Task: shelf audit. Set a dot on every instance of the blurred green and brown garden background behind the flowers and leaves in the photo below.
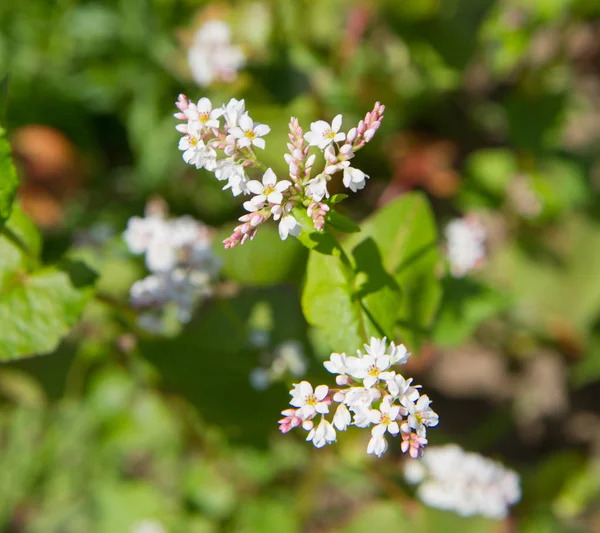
(492, 109)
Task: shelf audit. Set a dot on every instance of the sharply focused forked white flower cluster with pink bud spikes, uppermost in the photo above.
(230, 130)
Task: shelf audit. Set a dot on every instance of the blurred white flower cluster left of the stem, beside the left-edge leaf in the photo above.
(179, 256)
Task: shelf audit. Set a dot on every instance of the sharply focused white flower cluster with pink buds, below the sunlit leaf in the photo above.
(370, 395)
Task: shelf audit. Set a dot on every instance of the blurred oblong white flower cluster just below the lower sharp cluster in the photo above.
(467, 483)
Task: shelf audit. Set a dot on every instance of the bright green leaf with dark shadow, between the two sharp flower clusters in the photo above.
(382, 280)
